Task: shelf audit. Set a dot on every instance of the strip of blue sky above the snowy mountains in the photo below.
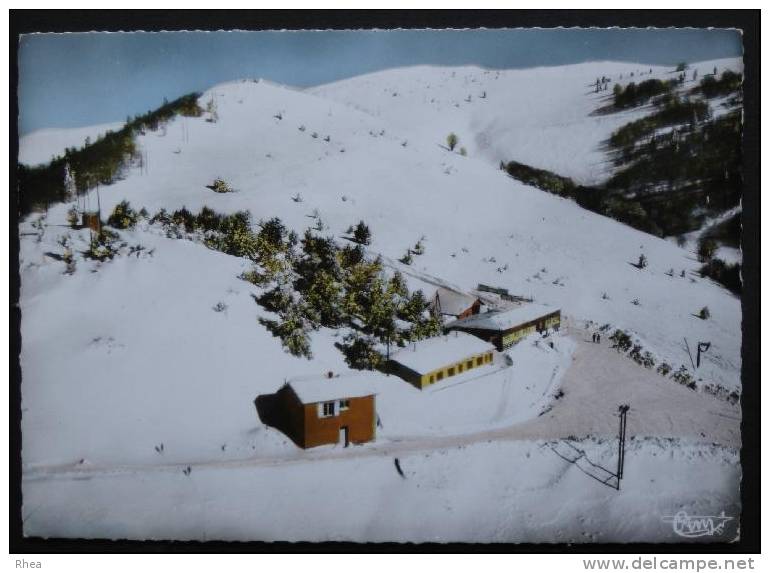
(70, 80)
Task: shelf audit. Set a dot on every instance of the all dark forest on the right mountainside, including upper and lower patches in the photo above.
(675, 168)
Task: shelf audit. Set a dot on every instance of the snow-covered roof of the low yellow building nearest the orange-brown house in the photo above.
(432, 353)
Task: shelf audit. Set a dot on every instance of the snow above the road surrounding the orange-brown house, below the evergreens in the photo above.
(135, 347)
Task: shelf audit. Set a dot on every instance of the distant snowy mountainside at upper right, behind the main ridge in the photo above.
(539, 116)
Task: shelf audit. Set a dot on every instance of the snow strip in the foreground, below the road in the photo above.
(488, 492)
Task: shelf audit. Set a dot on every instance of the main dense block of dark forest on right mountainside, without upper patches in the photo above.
(667, 186)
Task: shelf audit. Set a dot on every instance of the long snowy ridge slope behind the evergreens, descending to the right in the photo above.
(476, 220)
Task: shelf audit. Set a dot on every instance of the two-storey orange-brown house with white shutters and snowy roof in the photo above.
(328, 410)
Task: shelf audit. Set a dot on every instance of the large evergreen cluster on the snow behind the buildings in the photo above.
(311, 282)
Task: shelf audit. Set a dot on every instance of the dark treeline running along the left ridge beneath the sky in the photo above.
(99, 162)
